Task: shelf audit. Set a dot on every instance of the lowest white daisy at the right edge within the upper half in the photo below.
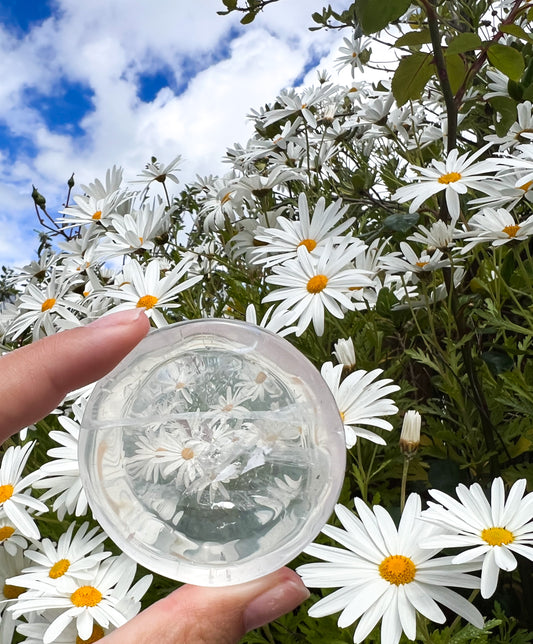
(496, 226)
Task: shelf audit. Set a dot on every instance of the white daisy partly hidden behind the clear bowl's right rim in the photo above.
(360, 399)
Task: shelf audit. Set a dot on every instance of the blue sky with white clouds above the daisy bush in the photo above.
(85, 85)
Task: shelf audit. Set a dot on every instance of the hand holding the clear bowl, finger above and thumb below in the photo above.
(33, 380)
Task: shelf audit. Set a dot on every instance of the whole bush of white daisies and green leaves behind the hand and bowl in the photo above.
(385, 229)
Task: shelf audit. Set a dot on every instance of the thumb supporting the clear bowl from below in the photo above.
(198, 615)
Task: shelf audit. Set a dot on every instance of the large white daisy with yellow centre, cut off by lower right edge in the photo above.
(491, 532)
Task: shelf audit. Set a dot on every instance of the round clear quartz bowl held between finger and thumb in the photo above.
(214, 453)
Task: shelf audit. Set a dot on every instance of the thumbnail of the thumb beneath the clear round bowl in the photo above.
(273, 603)
